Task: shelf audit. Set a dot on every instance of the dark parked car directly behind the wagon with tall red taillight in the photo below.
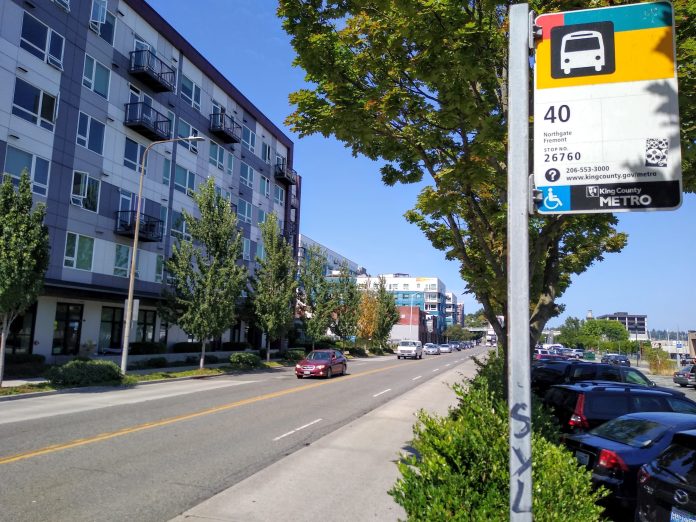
(546, 373)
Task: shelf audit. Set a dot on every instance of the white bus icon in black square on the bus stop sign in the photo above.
(582, 50)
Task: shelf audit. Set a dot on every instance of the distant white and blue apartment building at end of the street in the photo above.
(427, 293)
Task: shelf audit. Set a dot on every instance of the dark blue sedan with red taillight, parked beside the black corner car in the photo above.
(616, 450)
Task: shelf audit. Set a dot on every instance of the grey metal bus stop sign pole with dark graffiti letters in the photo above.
(519, 395)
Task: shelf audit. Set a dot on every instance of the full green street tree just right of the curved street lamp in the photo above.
(207, 282)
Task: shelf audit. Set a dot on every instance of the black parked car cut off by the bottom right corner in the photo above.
(667, 485)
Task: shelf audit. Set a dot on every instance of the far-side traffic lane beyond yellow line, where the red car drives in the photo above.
(59, 418)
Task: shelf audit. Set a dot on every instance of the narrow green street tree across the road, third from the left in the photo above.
(274, 284)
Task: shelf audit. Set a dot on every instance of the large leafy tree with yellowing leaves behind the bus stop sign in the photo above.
(422, 86)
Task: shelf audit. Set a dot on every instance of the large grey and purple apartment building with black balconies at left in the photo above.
(85, 87)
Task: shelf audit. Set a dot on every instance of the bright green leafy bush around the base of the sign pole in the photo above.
(461, 472)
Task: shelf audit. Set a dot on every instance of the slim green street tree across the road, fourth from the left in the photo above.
(315, 295)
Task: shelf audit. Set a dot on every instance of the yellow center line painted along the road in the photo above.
(179, 418)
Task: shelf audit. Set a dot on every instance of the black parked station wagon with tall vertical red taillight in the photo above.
(585, 405)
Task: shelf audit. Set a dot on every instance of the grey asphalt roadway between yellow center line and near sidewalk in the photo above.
(154, 475)
